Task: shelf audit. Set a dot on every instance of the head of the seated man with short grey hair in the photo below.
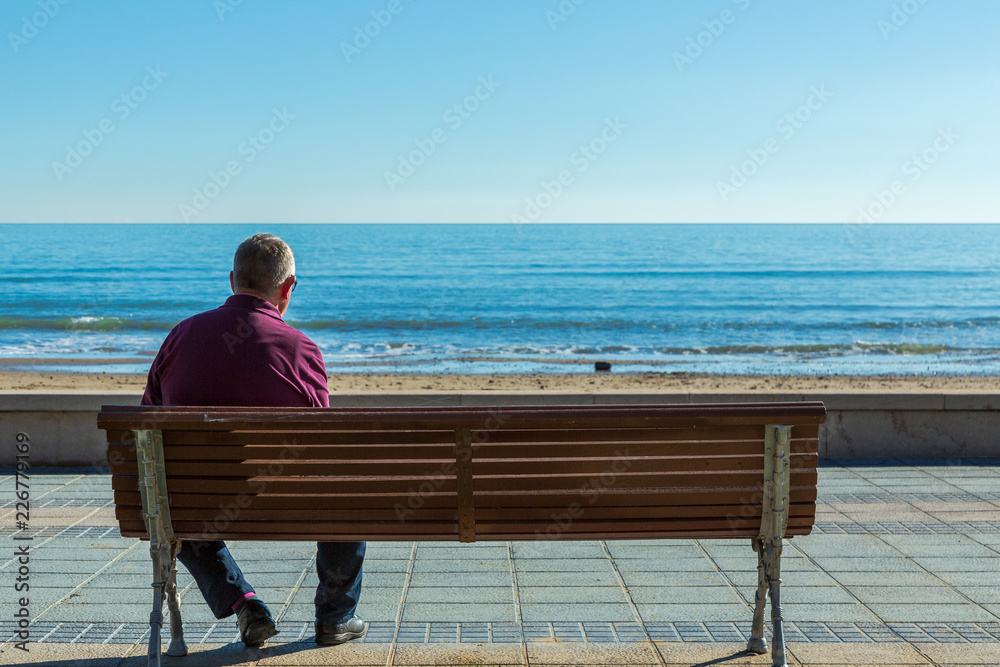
(264, 267)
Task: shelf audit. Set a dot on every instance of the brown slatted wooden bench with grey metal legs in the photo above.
(595, 472)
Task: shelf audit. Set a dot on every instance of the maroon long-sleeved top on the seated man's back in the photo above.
(241, 353)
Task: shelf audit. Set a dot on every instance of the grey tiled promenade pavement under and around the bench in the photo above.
(903, 568)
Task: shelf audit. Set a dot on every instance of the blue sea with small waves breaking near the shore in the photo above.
(790, 299)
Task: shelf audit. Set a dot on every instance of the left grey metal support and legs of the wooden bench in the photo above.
(163, 547)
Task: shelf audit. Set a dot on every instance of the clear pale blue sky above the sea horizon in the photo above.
(624, 111)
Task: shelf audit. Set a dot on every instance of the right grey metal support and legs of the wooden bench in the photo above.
(768, 543)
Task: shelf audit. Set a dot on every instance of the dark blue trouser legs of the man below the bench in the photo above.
(222, 584)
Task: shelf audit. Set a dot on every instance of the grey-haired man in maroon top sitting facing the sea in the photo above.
(244, 354)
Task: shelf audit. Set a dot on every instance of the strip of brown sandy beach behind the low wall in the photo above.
(13, 379)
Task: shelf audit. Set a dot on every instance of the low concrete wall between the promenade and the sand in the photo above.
(62, 427)
